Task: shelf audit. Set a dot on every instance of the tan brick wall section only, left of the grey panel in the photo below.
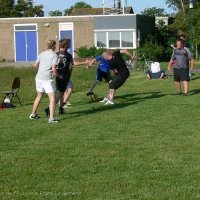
(83, 32)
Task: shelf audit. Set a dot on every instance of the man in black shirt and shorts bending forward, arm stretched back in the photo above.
(119, 66)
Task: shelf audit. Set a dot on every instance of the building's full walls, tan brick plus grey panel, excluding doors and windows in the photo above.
(83, 27)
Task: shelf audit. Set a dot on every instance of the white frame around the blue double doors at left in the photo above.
(36, 30)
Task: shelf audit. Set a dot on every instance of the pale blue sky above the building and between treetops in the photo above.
(138, 5)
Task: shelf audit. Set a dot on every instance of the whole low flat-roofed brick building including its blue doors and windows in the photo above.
(23, 38)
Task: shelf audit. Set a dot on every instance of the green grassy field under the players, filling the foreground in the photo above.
(145, 147)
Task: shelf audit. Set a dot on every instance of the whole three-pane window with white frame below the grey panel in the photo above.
(116, 39)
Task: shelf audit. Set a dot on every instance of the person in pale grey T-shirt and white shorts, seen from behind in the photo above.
(46, 65)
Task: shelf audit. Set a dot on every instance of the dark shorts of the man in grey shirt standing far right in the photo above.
(181, 74)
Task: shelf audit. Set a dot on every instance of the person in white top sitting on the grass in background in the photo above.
(155, 71)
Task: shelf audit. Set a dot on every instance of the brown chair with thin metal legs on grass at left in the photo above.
(13, 92)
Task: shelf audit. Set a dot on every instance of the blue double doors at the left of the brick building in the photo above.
(26, 45)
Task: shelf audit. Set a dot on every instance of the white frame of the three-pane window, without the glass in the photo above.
(117, 30)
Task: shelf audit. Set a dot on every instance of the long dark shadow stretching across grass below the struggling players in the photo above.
(129, 99)
